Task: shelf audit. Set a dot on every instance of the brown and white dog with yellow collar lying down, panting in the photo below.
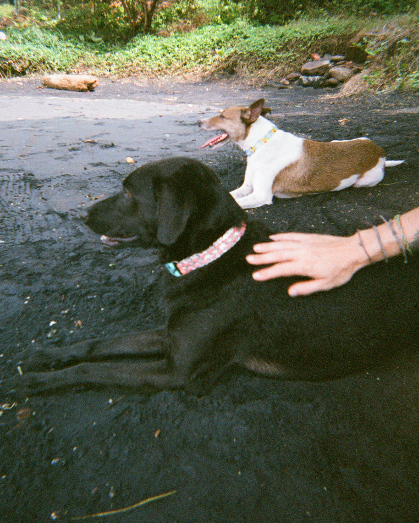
(284, 165)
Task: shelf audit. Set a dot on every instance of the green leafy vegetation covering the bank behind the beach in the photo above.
(210, 37)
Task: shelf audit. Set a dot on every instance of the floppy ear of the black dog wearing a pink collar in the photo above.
(174, 207)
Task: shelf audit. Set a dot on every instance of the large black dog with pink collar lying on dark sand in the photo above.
(218, 317)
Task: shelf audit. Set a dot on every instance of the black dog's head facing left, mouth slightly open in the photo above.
(176, 203)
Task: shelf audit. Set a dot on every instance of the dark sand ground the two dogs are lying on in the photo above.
(253, 450)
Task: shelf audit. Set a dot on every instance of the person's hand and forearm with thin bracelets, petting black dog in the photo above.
(331, 261)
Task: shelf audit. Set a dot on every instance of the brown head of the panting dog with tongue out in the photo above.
(235, 123)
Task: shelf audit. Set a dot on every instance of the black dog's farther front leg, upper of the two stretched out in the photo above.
(132, 345)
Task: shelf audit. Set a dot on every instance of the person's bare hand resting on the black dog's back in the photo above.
(330, 261)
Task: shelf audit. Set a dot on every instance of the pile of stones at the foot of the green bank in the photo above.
(329, 71)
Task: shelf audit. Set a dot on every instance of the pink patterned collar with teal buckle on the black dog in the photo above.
(200, 259)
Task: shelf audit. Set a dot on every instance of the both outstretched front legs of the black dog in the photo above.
(142, 361)
